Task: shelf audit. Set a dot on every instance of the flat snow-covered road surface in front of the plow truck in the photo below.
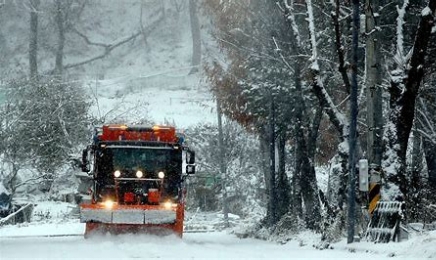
(217, 245)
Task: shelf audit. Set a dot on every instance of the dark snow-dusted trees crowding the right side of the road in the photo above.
(288, 73)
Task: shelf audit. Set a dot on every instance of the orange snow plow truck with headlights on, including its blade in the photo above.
(138, 175)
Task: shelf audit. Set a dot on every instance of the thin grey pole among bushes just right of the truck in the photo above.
(223, 168)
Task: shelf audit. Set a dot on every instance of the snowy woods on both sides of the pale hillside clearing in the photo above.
(283, 74)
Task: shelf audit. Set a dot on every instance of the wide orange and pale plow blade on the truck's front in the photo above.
(119, 219)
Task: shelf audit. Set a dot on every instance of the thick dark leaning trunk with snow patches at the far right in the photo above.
(403, 98)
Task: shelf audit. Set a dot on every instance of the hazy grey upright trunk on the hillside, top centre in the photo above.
(196, 38)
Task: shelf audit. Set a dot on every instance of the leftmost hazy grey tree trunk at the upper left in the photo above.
(33, 43)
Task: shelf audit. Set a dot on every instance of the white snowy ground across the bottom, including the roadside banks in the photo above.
(41, 239)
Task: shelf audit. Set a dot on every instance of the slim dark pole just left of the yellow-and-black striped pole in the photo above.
(353, 126)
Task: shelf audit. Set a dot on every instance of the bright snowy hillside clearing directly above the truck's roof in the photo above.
(165, 98)
